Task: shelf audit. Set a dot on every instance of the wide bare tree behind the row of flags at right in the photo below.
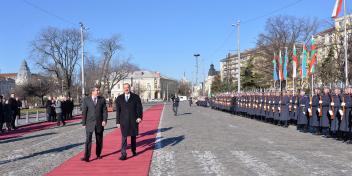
(281, 32)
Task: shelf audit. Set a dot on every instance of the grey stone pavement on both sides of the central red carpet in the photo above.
(199, 141)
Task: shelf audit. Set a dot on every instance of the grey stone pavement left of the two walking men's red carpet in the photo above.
(39, 152)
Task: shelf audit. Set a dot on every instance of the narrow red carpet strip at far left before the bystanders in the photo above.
(32, 127)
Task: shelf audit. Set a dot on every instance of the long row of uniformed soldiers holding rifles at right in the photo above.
(327, 114)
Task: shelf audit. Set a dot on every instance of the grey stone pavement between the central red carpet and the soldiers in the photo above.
(202, 141)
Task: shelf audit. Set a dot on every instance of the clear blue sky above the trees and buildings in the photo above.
(158, 35)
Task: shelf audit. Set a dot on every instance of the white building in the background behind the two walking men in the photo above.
(148, 85)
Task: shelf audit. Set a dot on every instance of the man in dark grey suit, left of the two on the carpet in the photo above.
(94, 119)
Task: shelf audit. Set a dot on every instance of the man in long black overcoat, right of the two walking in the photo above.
(129, 113)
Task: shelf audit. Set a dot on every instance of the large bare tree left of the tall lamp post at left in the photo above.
(57, 51)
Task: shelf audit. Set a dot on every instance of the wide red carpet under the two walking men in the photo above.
(110, 164)
